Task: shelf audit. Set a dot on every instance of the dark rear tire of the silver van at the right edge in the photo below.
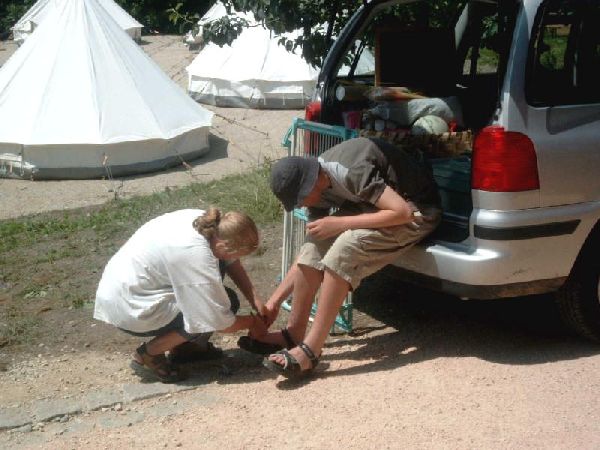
(579, 299)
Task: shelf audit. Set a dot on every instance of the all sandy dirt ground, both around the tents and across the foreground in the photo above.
(420, 370)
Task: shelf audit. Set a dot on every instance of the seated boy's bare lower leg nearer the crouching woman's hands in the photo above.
(306, 281)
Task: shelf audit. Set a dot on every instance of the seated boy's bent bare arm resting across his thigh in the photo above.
(393, 211)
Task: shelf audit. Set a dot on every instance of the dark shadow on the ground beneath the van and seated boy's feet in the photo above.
(399, 324)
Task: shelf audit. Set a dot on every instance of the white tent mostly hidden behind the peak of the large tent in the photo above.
(34, 16)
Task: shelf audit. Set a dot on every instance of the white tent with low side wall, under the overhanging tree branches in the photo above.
(255, 71)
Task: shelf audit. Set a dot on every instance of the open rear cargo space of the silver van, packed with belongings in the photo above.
(425, 79)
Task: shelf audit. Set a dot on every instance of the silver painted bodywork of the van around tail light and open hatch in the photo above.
(515, 242)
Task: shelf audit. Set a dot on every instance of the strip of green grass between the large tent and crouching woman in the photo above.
(248, 192)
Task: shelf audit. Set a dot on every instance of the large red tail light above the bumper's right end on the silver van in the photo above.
(504, 161)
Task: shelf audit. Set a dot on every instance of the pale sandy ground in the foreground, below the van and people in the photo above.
(421, 371)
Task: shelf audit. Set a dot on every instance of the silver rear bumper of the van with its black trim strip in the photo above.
(507, 253)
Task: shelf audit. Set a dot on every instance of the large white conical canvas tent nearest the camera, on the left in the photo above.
(79, 99)
